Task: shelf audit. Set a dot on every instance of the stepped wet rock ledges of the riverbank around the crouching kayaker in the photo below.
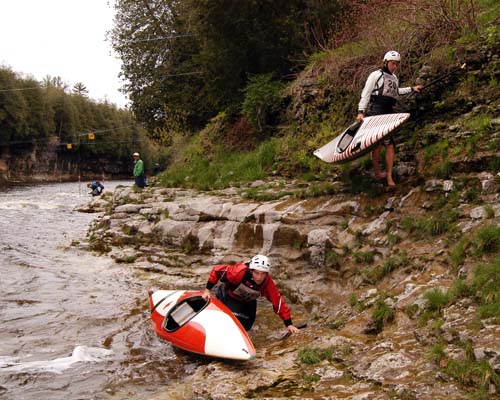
(357, 268)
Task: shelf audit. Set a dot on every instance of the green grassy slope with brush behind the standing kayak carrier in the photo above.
(208, 162)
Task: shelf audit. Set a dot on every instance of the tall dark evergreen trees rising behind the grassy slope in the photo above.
(186, 61)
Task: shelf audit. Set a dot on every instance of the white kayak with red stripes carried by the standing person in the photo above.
(360, 138)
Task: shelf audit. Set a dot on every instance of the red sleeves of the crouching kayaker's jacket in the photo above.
(233, 275)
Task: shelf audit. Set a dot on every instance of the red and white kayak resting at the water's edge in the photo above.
(194, 324)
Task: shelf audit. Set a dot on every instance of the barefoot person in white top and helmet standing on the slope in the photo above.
(379, 97)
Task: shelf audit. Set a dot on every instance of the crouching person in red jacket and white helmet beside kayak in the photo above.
(242, 284)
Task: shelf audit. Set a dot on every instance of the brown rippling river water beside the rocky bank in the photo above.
(73, 325)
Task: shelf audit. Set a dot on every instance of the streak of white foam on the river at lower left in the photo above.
(57, 365)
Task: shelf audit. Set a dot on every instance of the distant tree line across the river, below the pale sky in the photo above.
(34, 113)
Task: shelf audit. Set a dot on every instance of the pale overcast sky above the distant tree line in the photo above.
(63, 38)
